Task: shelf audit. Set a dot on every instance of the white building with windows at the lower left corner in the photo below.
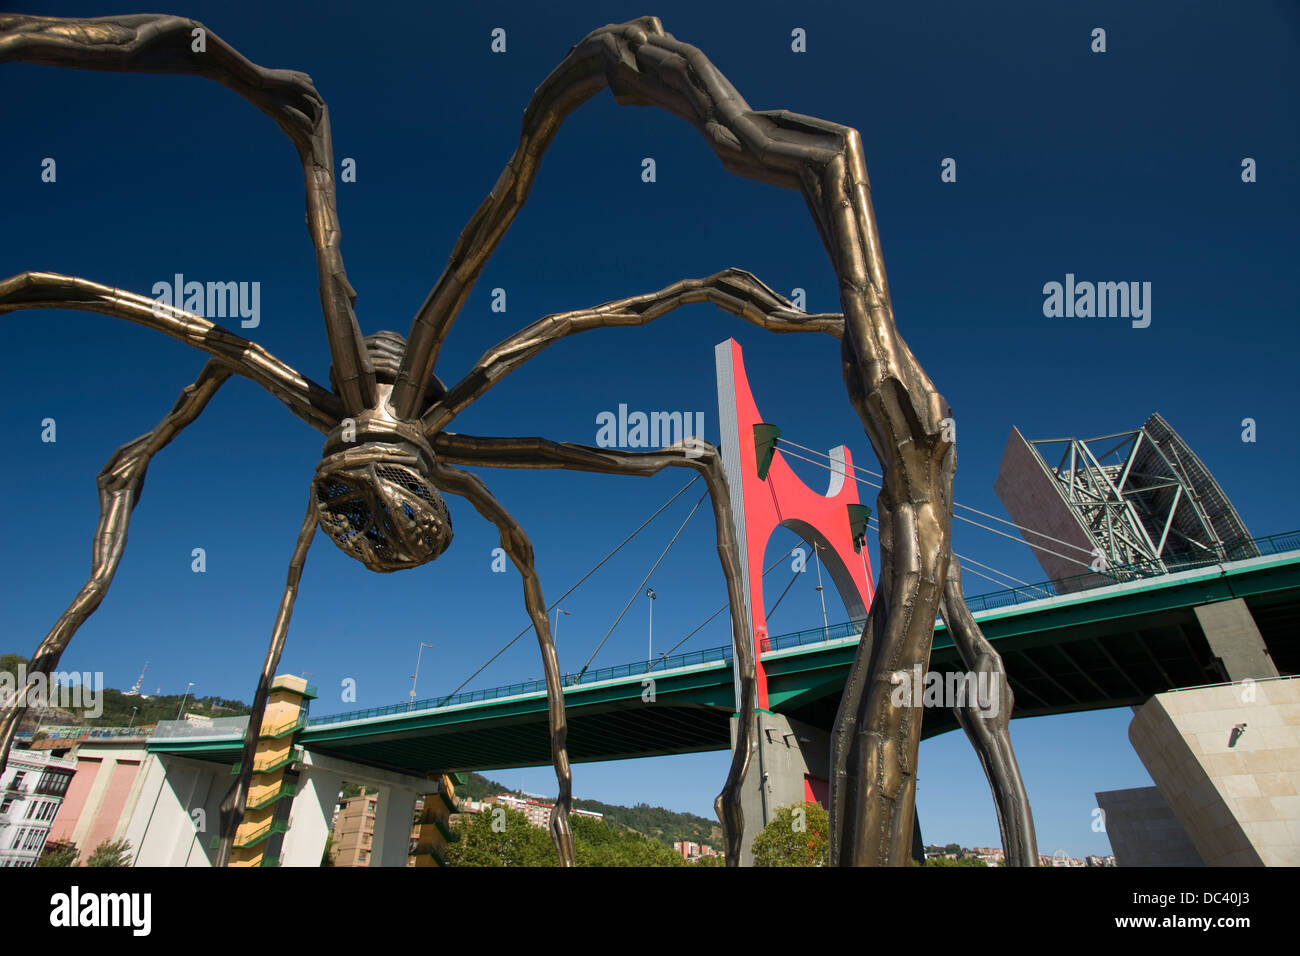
(32, 790)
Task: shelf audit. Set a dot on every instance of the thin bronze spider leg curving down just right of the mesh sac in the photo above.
(521, 551)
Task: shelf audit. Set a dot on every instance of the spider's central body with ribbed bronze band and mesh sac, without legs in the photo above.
(375, 499)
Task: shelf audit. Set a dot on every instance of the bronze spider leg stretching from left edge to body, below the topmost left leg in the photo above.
(309, 401)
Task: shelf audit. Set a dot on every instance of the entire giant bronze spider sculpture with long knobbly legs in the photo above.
(388, 458)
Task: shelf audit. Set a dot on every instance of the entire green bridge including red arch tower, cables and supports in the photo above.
(1220, 609)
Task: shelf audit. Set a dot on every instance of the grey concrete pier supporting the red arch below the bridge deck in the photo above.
(786, 756)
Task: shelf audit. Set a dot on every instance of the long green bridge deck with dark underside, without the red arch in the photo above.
(1065, 652)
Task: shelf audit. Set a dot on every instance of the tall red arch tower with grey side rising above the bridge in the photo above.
(760, 505)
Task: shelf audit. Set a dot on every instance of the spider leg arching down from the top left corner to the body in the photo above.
(155, 44)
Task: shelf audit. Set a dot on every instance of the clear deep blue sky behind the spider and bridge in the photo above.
(1116, 167)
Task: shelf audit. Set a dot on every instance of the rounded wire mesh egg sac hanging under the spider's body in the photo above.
(387, 516)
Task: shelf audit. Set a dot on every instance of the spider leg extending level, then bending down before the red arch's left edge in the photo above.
(543, 453)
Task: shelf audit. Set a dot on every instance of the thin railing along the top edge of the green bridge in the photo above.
(1273, 544)
